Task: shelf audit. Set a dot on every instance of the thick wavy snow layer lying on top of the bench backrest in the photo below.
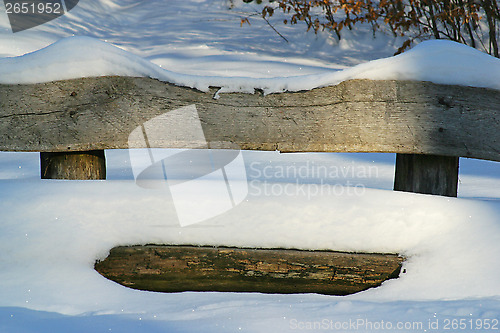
(438, 61)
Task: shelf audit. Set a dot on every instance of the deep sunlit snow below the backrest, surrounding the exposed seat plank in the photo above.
(51, 240)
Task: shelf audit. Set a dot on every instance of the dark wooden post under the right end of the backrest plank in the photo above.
(428, 174)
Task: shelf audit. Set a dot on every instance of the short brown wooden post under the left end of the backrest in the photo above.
(85, 165)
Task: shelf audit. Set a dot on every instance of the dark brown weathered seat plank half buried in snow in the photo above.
(188, 268)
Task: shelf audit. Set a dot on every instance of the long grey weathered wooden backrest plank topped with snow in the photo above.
(354, 116)
